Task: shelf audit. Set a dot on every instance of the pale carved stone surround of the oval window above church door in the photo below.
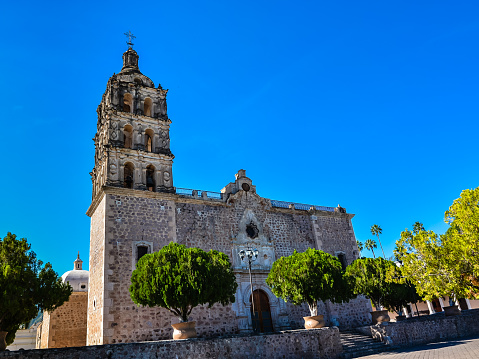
(251, 236)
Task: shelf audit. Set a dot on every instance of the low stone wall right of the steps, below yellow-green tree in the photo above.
(427, 329)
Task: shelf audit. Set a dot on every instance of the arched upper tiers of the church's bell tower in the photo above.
(132, 143)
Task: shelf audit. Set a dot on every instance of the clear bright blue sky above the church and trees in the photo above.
(371, 104)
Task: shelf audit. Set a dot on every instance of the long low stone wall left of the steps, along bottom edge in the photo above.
(323, 343)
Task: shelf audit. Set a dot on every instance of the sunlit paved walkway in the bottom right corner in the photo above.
(464, 348)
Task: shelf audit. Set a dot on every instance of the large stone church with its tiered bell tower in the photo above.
(136, 210)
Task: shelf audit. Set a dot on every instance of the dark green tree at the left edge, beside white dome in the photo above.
(26, 285)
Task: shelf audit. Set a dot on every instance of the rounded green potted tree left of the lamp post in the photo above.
(179, 278)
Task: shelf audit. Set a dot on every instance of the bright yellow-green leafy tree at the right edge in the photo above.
(448, 264)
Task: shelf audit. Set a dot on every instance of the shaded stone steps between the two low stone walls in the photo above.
(356, 345)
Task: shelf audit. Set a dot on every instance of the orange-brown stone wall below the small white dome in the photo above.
(66, 326)
